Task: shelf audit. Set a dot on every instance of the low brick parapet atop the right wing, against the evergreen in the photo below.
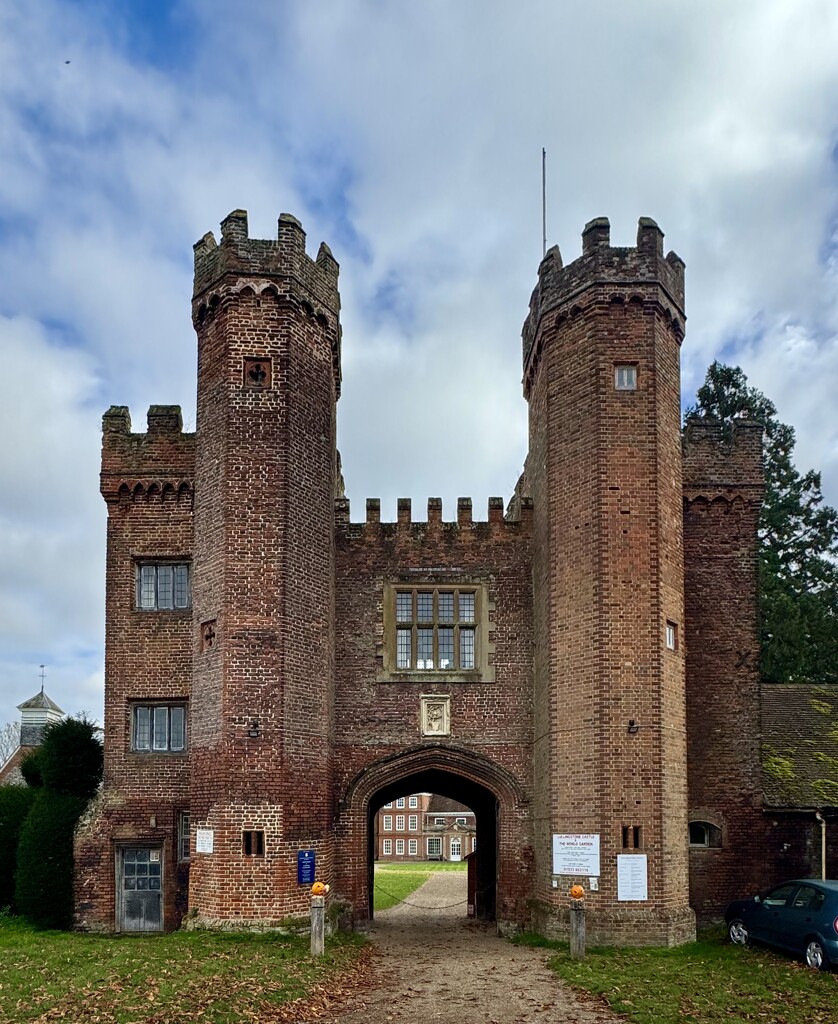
(719, 457)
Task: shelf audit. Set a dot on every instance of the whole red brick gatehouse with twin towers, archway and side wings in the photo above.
(577, 665)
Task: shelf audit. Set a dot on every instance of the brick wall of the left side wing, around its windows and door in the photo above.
(147, 482)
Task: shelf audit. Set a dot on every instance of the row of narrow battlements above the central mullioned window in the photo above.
(405, 523)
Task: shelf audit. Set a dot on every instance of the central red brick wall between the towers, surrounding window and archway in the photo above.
(378, 720)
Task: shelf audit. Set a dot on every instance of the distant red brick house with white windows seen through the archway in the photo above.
(425, 827)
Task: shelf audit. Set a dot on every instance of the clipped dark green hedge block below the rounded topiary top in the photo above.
(44, 884)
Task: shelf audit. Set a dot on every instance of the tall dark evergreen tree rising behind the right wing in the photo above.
(799, 541)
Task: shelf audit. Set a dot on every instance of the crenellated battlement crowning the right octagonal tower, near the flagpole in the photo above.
(625, 275)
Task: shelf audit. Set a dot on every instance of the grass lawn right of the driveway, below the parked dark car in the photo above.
(707, 982)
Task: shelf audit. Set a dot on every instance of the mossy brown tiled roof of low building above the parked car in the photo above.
(801, 746)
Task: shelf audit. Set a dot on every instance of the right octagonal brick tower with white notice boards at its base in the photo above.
(602, 376)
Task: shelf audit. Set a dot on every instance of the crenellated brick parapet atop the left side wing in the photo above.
(159, 460)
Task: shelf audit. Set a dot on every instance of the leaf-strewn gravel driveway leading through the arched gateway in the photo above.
(436, 965)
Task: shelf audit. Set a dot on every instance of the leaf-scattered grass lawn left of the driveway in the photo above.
(171, 979)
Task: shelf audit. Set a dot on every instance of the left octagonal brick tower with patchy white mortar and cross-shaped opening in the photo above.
(269, 378)
